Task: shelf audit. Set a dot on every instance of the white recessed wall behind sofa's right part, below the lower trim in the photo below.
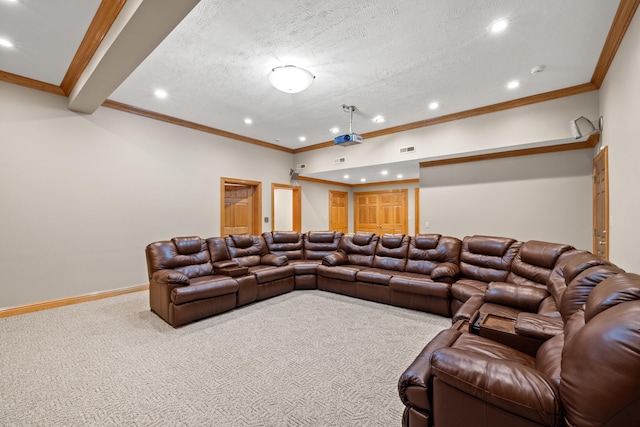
(542, 197)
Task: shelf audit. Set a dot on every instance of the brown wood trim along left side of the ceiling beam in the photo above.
(102, 21)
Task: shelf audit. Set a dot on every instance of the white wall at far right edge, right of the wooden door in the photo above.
(619, 105)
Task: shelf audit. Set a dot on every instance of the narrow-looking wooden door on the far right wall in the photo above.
(601, 204)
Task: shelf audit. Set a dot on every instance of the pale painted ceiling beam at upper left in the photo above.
(139, 28)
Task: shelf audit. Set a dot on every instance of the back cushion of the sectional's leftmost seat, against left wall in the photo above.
(188, 255)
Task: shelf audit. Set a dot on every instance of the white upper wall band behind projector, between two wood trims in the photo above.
(537, 124)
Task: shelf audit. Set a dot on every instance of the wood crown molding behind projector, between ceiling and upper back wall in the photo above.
(534, 99)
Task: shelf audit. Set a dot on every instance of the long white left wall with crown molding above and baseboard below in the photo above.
(82, 195)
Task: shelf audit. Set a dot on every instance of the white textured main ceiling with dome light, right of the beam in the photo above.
(387, 58)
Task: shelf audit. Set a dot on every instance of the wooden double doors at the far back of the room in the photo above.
(381, 212)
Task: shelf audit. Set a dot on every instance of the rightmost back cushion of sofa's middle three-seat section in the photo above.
(426, 251)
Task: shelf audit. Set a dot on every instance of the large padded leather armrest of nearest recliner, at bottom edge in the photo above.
(505, 384)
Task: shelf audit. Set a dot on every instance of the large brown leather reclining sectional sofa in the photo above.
(543, 334)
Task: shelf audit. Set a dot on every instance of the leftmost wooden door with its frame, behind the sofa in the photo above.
(241, 206)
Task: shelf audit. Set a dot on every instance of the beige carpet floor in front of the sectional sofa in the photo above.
(307, 358)
